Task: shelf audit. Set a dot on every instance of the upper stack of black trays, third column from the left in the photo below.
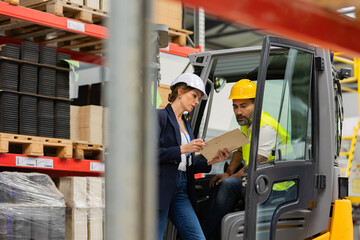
(47, 75)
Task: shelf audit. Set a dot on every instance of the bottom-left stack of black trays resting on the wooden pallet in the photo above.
(9, 112)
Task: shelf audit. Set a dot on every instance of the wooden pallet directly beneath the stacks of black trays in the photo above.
(35, 146)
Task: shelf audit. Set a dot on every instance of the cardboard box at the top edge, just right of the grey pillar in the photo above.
(168, 12)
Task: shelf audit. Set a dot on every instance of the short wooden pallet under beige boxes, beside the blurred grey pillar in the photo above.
(84, 150)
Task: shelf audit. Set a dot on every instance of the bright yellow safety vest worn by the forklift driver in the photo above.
(285, 148)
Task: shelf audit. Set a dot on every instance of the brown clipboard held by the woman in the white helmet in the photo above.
(231, 140)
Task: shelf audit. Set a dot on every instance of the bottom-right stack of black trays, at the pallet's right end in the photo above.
(62, 119)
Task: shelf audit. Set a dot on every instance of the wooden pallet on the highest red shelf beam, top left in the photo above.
(67, 9)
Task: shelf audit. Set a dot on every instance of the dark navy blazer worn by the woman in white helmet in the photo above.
(169, 157)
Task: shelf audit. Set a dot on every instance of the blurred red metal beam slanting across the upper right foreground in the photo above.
(297, 20)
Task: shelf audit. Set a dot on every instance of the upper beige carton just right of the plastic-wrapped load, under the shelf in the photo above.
(74, 190)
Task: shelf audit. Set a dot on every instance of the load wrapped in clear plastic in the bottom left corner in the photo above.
(30, 207)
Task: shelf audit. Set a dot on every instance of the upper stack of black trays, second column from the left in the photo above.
(29, 72)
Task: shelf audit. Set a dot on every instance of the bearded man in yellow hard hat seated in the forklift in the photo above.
(226, 188)
